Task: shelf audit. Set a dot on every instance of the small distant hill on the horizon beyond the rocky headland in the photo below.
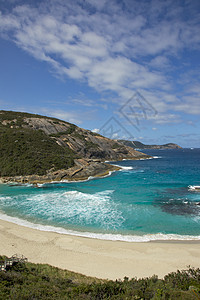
(139, 145)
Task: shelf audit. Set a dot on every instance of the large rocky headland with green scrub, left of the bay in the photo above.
(37, 148)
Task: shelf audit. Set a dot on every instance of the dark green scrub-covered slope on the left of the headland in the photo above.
(25, 151)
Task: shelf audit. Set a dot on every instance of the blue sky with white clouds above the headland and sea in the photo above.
(127, 69)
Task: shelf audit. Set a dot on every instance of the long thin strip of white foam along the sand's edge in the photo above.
(102, 236)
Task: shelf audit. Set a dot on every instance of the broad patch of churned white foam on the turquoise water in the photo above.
(67, 207)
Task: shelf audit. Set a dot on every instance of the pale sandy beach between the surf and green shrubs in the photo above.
(102, 259)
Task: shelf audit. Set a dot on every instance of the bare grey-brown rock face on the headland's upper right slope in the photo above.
(83, 142)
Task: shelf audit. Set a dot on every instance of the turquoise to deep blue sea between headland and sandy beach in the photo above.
(146, 200)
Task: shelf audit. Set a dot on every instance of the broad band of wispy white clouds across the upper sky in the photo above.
(111, 47)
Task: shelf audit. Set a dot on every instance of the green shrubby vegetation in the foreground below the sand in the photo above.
(37, 281)
